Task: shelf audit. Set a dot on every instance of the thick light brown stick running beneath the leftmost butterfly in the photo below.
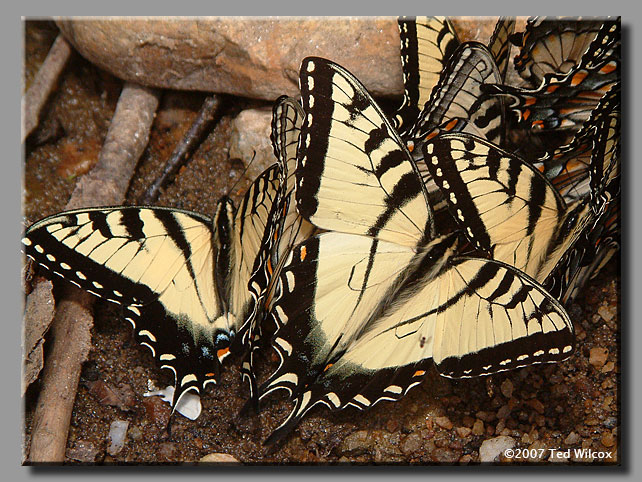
(105, 184)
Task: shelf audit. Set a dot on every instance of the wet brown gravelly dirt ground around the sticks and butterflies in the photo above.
(571, 405)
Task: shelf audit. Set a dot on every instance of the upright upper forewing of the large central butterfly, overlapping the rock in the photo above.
(354, 174)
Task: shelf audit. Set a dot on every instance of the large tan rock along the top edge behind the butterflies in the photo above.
(257, 58)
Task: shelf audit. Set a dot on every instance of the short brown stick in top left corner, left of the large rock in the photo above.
(44, 83)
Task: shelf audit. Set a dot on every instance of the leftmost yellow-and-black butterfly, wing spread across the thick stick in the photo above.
(181, 277)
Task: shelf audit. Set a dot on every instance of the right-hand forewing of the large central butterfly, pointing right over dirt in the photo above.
(492, 318)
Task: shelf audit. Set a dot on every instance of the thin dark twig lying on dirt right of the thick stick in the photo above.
(185, 147)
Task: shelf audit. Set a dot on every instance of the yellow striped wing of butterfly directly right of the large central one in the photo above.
(504, 205)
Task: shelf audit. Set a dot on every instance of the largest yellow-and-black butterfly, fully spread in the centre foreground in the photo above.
(370, 304)
